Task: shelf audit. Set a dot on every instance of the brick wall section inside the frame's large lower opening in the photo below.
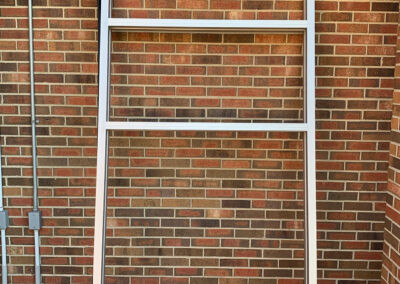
(202, 206)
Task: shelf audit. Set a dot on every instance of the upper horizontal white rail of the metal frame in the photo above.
(209, 25)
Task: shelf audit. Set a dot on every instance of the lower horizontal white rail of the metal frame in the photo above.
(207, 126)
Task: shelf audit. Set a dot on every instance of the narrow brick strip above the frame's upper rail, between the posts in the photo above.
(209, 9)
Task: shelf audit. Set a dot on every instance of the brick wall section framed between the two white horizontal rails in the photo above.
(207, 77)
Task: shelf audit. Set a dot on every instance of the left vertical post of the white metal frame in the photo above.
(102, 146)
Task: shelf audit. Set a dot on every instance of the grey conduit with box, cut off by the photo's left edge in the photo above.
(3, 227)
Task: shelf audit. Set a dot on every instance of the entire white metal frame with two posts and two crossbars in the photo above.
(308, 127)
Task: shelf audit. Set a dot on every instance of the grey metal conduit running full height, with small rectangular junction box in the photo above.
(35, 214)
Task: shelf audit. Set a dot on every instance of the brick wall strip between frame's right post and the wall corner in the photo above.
(356, 53)
